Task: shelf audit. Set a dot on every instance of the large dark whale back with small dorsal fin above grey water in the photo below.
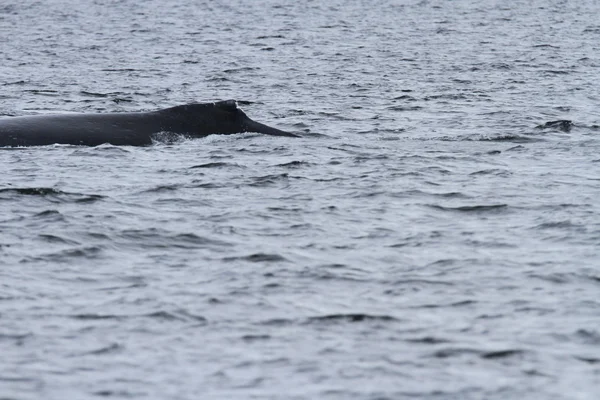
(130, 128)
